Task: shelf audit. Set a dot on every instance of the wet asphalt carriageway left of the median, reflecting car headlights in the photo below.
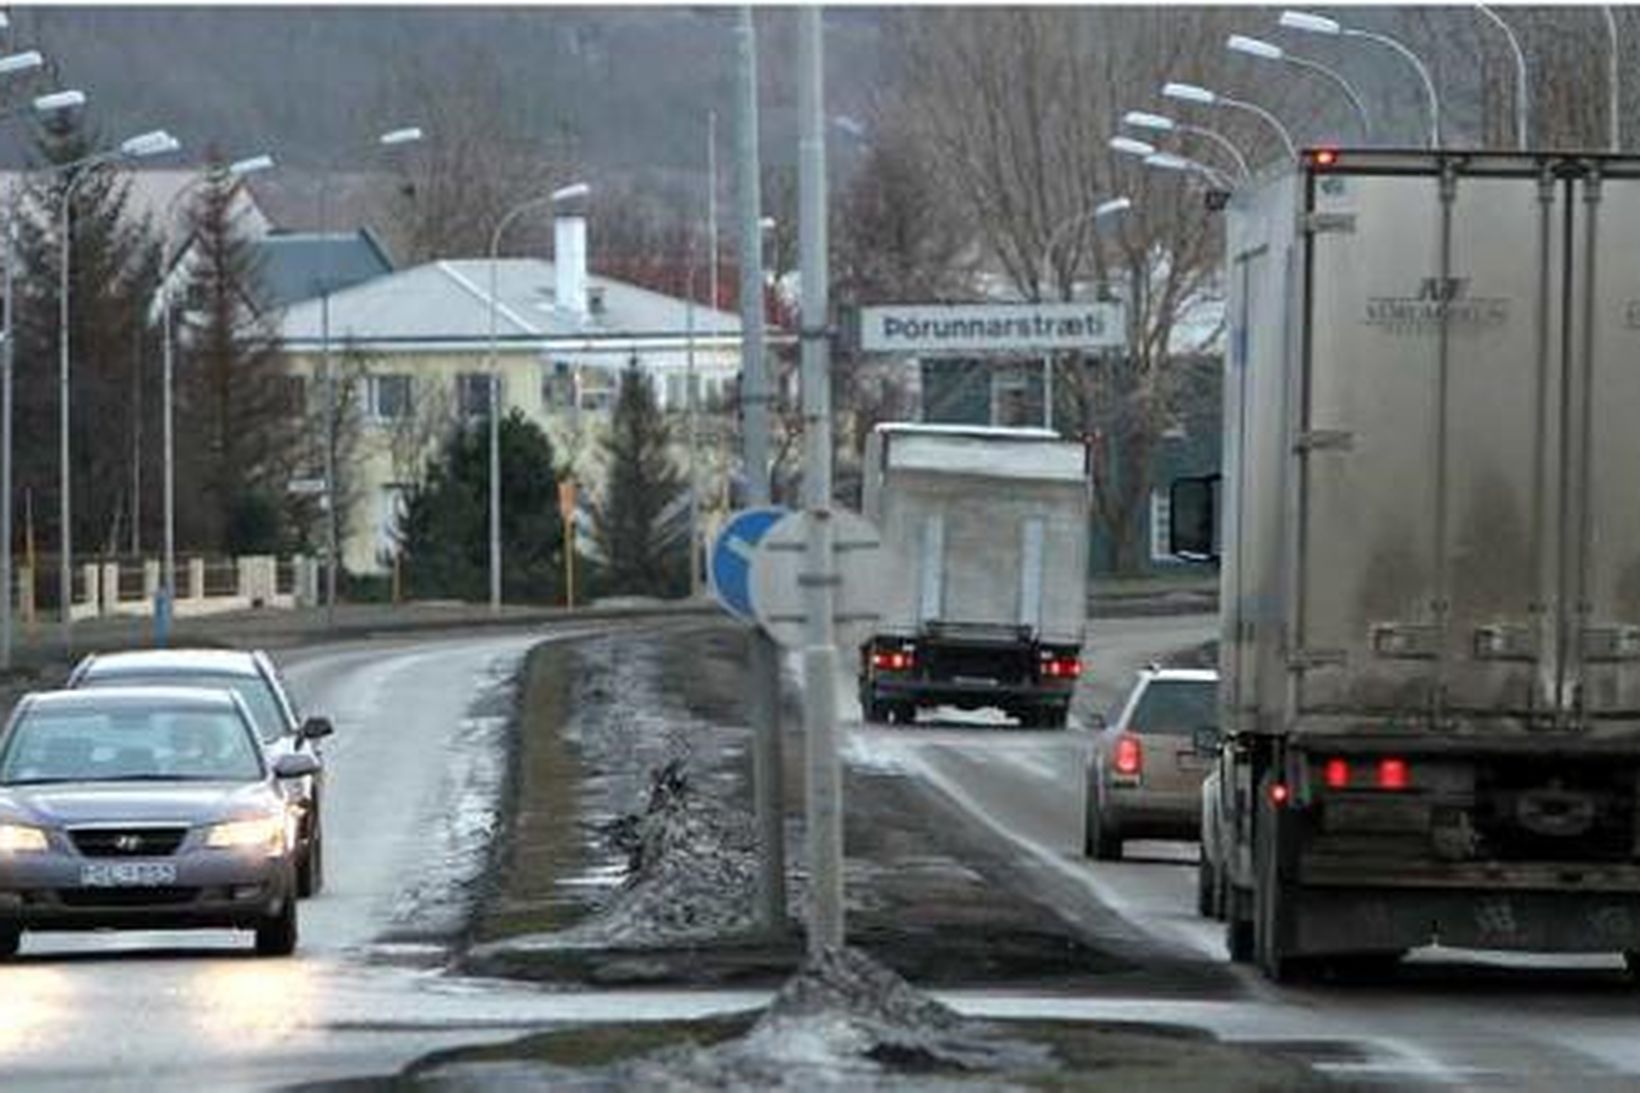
(198, 1012)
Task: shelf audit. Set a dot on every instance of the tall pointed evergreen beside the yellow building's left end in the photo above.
(237, 434)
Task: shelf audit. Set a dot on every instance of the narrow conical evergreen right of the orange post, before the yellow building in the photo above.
(644, 552)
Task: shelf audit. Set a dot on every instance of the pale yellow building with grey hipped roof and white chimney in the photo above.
(419, 349)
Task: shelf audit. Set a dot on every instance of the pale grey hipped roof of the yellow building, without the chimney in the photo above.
(450, 303)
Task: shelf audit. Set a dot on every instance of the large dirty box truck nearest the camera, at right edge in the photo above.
(1431, 560)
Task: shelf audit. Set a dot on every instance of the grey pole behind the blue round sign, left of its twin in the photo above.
(763, 659)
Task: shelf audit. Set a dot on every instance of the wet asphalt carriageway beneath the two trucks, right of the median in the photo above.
(1447, 1022)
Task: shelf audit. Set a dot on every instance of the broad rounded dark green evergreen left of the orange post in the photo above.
(447, 523)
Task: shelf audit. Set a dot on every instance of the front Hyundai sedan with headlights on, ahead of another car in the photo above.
(145, 810)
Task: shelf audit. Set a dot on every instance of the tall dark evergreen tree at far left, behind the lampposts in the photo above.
(114, 365)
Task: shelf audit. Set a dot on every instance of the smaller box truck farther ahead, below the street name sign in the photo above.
(985, 537)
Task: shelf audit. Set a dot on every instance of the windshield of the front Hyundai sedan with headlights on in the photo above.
(130, 744)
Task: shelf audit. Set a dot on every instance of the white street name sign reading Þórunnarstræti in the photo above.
(991, 327)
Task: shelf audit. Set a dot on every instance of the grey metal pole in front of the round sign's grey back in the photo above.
(826, 790)
